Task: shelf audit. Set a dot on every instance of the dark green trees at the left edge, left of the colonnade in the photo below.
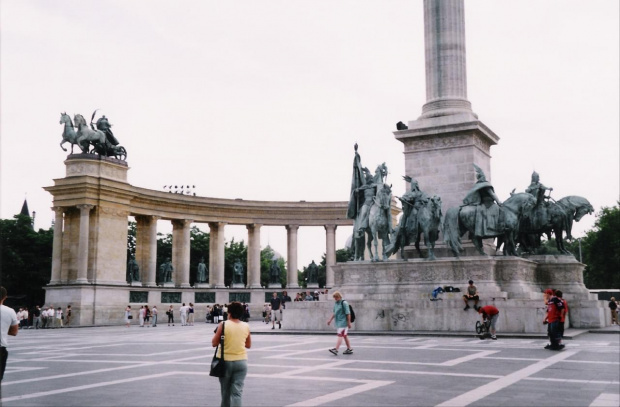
(25, 260)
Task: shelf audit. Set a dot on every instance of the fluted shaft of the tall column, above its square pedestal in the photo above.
(446, 73)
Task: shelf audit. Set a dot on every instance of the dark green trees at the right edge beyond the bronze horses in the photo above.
(601, 250)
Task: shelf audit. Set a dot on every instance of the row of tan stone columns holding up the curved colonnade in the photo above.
(146, 250)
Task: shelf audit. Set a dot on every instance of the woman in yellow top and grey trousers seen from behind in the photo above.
(236, 340)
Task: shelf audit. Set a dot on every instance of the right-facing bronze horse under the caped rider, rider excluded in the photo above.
(462, 219)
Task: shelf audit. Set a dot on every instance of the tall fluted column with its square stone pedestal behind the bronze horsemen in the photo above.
(442, 145)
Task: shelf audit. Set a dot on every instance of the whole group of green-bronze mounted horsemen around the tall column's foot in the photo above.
(518, 223)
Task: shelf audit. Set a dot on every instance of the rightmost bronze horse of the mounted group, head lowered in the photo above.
(559, 218)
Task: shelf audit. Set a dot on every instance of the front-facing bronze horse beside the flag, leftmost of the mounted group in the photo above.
(379, 220)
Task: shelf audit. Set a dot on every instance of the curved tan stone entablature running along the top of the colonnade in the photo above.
(136, 201)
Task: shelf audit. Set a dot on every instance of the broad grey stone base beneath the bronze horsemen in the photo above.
(396, 295)
